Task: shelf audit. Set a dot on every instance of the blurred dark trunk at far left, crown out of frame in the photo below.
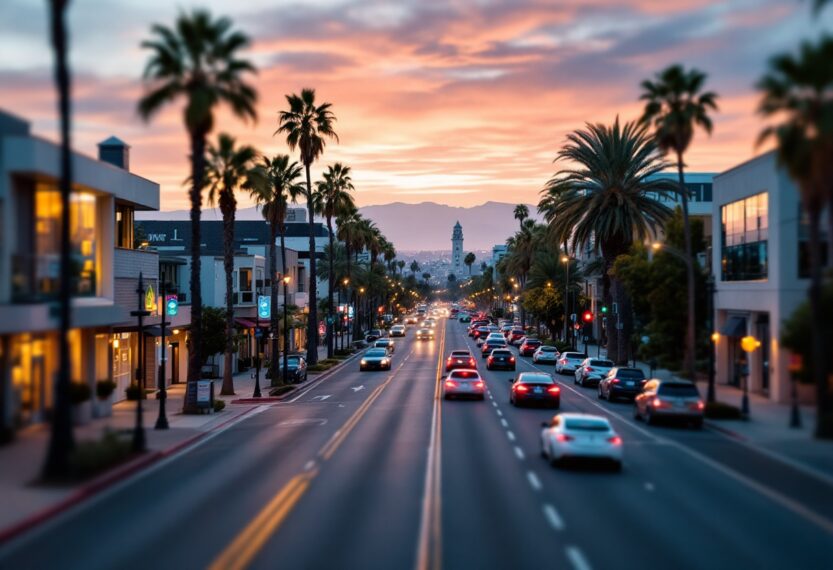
(62, 439)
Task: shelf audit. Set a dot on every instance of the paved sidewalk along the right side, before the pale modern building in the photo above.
(767, 428)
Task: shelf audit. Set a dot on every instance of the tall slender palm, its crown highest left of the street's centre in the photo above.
(307, 127)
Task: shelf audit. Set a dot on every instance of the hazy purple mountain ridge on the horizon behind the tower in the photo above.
(412, 227)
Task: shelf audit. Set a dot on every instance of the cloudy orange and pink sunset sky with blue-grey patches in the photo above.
(457, 101)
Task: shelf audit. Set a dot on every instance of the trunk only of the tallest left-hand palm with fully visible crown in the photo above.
(195, 359)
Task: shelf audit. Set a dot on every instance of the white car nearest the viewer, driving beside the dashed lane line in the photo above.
(572, 435)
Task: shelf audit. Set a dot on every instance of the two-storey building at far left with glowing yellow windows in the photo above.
(105, 195)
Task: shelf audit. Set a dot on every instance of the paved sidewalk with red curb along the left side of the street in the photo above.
(20, 462)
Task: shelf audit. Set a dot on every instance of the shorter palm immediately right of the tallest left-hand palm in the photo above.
(229, 167)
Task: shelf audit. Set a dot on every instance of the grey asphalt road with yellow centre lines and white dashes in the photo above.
(372, 470)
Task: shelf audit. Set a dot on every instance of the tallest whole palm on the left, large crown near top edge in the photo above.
(197, 60)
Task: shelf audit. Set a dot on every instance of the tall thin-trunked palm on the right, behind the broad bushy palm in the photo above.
(676, 106)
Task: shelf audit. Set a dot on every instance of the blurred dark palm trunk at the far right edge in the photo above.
(824, 421)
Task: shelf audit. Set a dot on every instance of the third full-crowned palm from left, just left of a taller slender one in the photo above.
(281, 186)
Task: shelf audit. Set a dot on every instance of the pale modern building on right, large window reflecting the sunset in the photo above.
(760, 266)
